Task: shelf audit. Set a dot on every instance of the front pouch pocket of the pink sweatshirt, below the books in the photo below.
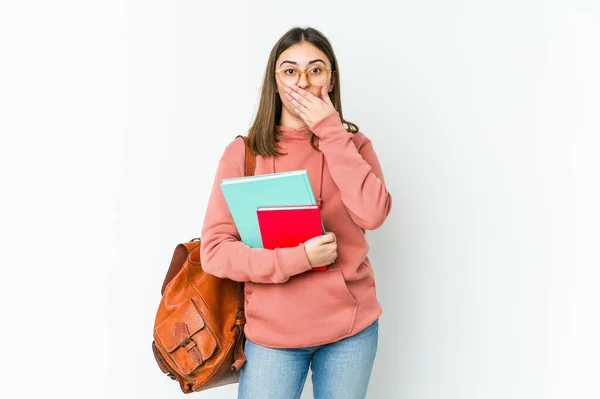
(309, 309)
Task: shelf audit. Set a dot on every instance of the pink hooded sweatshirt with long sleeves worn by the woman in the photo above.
(286, 305)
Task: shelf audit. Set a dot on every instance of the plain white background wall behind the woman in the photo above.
(485, 116)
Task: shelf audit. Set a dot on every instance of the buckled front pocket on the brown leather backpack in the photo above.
(185, 337)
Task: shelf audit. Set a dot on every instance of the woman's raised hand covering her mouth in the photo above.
(309, 107)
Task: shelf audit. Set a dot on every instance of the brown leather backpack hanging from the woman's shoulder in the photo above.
(199, 326)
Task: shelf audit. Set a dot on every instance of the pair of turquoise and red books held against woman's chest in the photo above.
(276, 210)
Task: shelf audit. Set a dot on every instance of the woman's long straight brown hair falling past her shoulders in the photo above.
(262, 135)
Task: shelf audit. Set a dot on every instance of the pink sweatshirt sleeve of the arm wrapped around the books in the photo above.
(223, 254)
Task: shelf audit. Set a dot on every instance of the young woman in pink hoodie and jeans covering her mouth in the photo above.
(298, 318)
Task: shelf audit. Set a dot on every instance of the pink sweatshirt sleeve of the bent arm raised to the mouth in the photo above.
(356, 172)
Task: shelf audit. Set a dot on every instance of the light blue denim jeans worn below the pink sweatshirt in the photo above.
(341, 369)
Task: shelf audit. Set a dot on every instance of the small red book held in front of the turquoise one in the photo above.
(289, 226)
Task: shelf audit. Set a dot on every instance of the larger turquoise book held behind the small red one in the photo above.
(244, 195)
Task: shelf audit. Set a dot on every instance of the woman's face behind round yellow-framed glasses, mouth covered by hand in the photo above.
(302, 56)
